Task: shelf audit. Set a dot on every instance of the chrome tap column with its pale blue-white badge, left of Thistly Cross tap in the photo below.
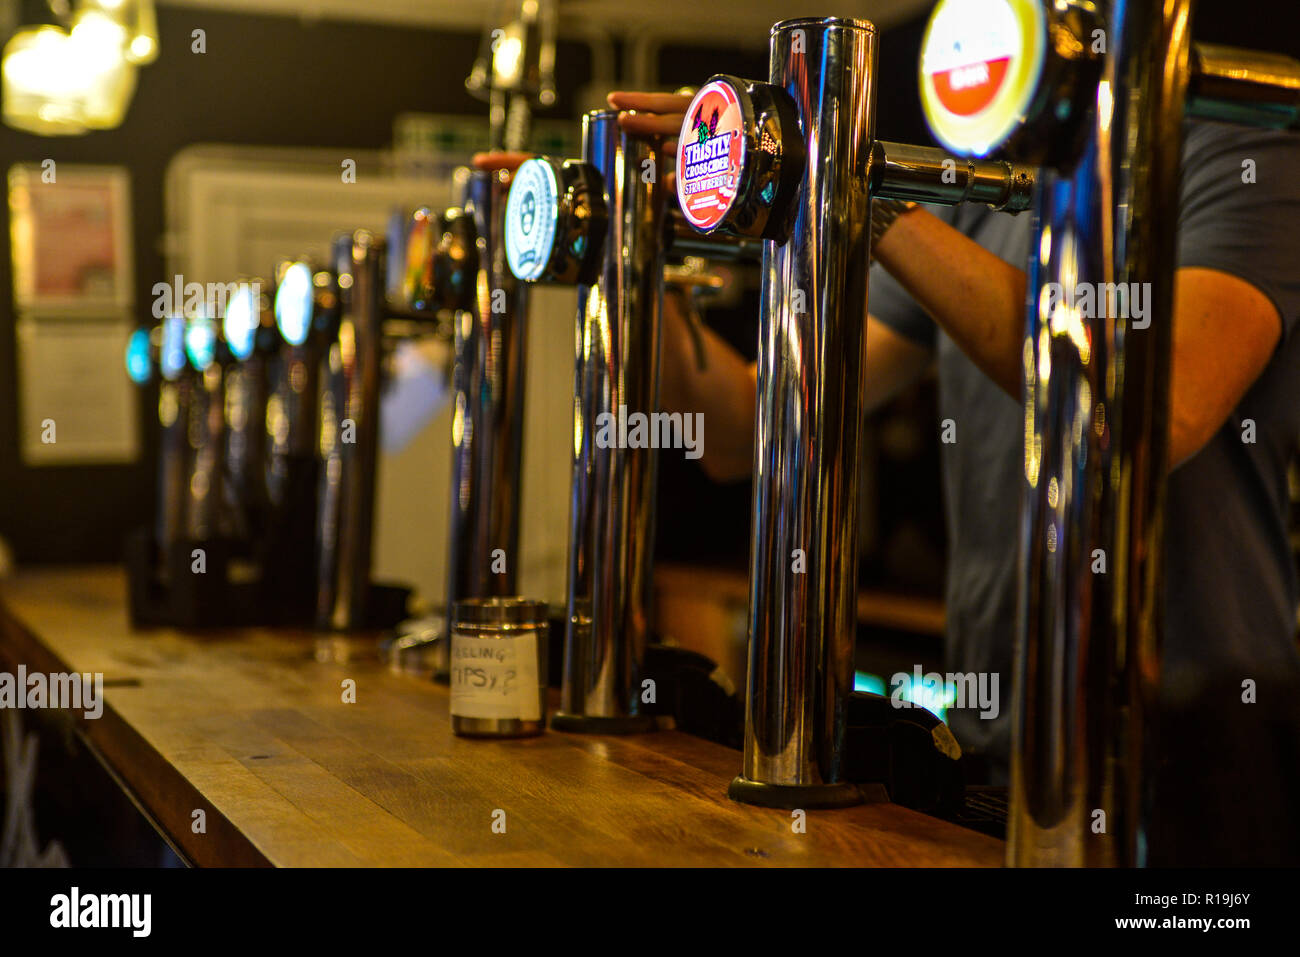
(603, 224)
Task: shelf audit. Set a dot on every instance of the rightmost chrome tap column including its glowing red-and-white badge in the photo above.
(1108, 131)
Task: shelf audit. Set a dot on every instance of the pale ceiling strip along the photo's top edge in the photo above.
(704, 21)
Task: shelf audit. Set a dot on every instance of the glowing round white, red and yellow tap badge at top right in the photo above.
(980, 67)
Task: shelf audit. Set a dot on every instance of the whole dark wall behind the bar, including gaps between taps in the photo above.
(285, 83)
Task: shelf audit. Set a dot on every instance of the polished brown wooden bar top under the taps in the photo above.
(252, 728)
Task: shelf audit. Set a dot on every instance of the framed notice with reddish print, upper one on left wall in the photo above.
(71, 239)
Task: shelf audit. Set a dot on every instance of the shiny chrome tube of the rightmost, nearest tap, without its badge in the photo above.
(1097, 426)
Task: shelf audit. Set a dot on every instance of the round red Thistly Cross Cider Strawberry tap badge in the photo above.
(710, 155)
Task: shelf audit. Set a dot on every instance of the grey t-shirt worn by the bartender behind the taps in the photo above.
(1232, 586)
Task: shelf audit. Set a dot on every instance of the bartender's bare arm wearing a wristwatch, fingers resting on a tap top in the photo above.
(1225, 330)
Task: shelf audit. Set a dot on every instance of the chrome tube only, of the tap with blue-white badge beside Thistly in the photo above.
(612, 518)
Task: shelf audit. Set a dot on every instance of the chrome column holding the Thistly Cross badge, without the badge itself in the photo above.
(812, 350)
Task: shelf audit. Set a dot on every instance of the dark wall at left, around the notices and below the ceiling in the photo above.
(271, 81)
